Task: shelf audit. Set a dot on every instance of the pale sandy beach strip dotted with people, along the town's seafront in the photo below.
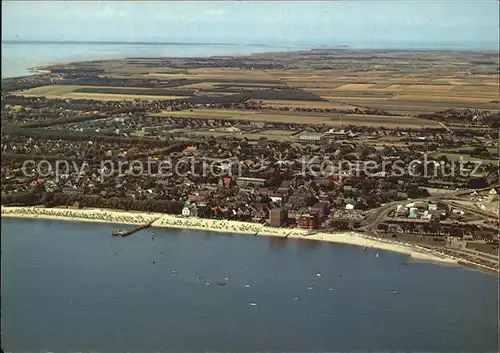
(170, 221)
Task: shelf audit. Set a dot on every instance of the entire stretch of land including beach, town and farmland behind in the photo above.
(267, 156)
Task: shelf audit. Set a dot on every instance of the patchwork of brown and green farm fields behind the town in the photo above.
(395, 82)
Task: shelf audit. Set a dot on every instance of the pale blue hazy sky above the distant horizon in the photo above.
(247, 22)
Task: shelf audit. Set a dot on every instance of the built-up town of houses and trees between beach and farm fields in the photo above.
(254, 179)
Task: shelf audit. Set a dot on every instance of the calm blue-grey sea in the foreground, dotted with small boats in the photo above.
(73, 287)
